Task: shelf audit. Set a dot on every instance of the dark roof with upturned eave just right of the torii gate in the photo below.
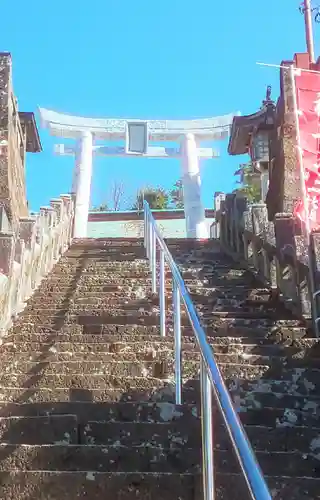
(244, 126)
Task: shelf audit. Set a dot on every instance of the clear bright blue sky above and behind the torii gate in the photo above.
(142, 59)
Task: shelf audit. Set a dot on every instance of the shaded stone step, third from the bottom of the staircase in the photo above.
(64, 429)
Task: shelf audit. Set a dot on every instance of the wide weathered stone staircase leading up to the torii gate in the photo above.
(86, 383)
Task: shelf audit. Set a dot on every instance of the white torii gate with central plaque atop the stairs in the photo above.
(138, 134)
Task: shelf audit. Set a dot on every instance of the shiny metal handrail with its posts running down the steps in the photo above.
(210, 375)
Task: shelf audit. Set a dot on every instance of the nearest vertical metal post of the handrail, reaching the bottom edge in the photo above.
(207, 434)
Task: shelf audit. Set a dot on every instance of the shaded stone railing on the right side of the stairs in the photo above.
(275, 251)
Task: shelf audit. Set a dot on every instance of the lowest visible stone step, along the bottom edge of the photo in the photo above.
(94, 485)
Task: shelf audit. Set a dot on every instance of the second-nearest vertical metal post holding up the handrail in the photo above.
(177, 340)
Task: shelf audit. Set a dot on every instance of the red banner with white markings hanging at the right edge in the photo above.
(308, 108)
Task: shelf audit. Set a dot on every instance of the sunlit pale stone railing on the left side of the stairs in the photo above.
(28, 254)
